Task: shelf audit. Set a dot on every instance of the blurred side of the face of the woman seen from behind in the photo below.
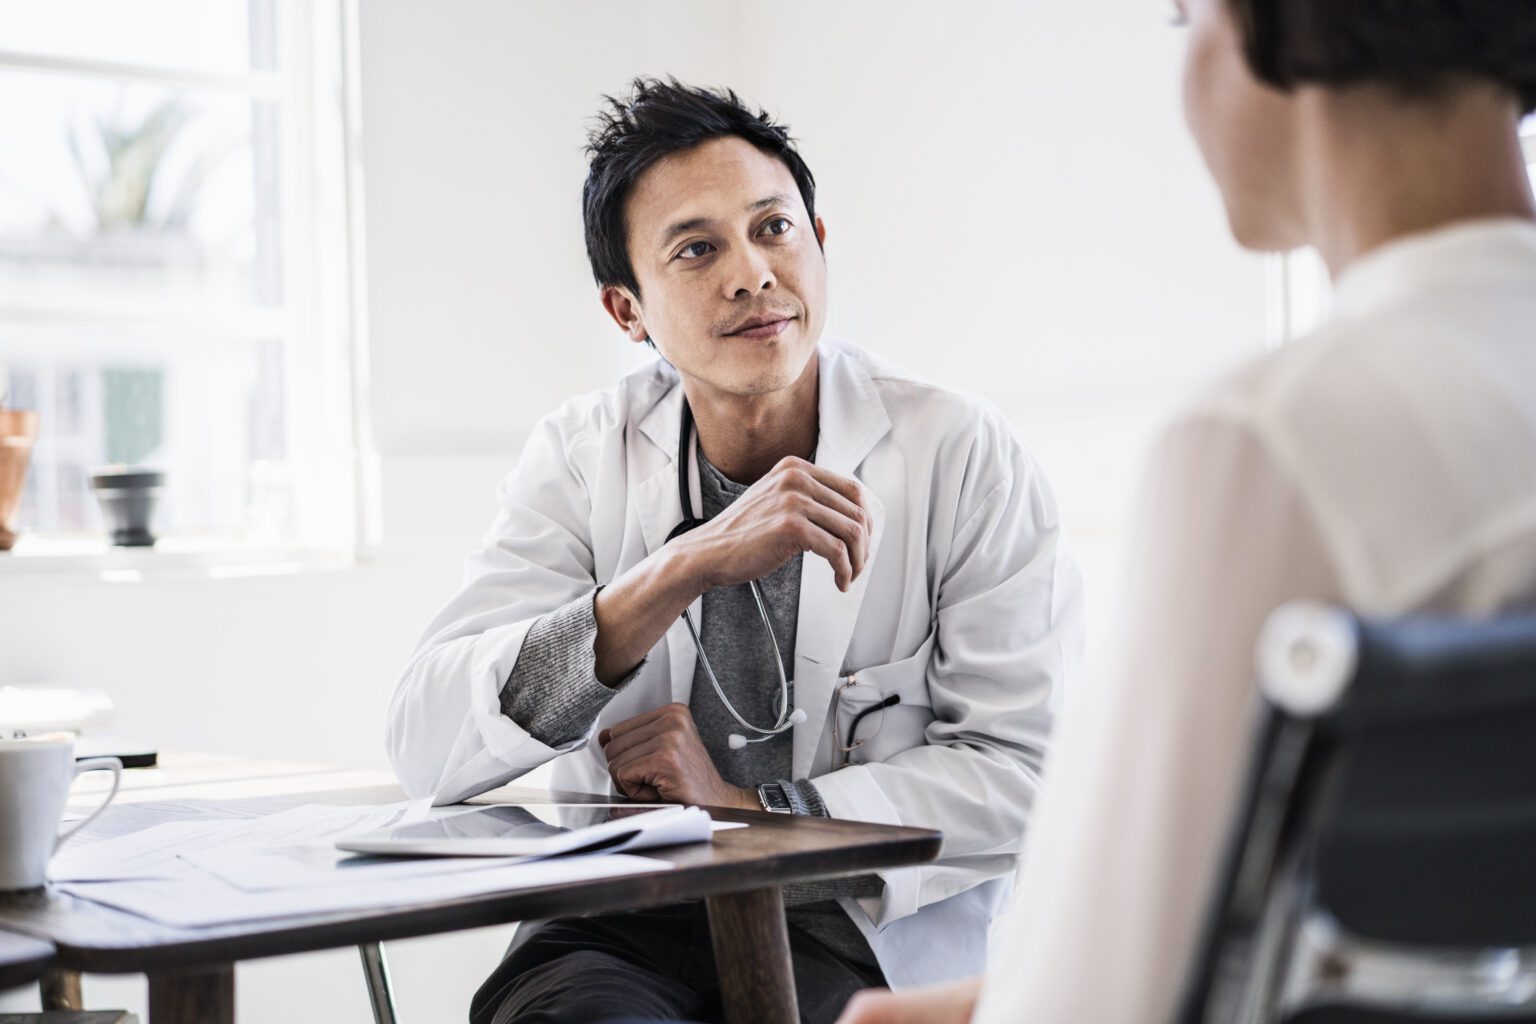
(1246, 131)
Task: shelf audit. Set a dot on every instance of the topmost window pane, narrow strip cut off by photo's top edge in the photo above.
(225, 36)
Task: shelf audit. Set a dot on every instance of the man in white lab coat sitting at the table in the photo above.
(873, 566)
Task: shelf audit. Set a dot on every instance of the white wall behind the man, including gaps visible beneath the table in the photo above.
(1013, 210)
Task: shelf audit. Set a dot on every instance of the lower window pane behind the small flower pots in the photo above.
(211, 412)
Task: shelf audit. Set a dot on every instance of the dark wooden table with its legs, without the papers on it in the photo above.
(740, 876)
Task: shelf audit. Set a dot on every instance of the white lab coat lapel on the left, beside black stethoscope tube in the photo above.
(658, 507)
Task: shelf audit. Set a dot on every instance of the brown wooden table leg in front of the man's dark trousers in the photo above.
(752, 953)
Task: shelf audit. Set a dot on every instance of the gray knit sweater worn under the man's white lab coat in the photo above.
(554, 693)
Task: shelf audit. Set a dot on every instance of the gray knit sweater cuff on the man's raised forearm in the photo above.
(554, 690)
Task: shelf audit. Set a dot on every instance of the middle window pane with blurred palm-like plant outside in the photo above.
(137, 196)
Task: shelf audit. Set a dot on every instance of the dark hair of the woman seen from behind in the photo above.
(1415, 45)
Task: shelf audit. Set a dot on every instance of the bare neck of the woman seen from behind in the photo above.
(1379, 167)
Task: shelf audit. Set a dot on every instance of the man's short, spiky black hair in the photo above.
(655, 121)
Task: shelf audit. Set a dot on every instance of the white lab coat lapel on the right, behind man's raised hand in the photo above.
(853, 420)
